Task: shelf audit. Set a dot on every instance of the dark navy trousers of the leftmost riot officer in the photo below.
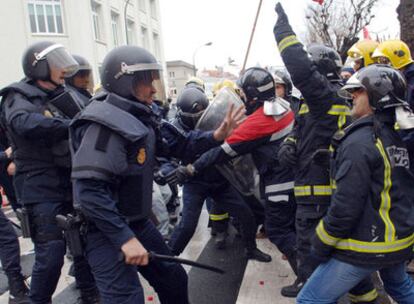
(50, 249)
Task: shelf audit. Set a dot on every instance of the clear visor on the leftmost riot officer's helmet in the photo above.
(60, 59)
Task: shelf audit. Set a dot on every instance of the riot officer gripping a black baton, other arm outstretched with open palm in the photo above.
(114, 141)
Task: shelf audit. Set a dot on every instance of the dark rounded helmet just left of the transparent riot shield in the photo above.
(191, 104)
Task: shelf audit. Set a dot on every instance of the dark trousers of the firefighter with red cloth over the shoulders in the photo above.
(280, 225)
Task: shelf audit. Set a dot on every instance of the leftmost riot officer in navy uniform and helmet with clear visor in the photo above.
(38, 131)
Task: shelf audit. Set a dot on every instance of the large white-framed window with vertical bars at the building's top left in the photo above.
(45, 16)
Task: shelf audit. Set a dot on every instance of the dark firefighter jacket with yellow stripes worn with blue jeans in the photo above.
(371, 217)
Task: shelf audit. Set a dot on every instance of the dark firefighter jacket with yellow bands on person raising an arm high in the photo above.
(321, 114)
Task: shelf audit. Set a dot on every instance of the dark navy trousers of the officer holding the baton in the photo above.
(118, 282)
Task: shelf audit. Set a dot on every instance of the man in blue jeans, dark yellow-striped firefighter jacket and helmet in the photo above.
(364, 230)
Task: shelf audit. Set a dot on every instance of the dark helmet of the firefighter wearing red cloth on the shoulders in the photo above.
(257, 85)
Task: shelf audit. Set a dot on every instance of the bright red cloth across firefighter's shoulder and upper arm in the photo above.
(259, 125)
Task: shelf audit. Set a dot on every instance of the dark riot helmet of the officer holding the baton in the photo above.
(125, 66)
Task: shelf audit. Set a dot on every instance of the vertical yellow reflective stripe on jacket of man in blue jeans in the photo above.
(385, 206)
